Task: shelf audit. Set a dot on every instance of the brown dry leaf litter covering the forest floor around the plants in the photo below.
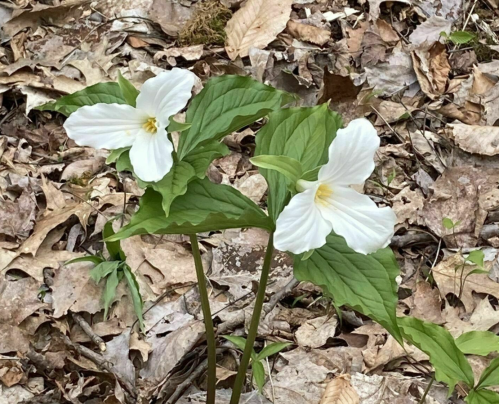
(434, 103)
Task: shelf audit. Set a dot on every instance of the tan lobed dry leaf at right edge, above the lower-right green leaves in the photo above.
(448, 277)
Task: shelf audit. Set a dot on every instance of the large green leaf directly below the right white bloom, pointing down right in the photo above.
(365, 283)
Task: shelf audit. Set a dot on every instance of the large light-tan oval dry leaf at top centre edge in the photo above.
(255, 25)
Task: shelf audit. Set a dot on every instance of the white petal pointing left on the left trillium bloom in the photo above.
(105, 126)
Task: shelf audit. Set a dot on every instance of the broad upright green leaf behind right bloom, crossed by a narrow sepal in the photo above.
(303, 134)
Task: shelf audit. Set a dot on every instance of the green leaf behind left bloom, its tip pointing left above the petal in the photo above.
(107, 93)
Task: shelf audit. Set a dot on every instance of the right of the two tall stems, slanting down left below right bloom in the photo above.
(255, 320)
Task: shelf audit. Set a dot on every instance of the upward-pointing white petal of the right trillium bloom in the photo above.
(351, 154)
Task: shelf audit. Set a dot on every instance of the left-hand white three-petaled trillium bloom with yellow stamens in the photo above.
(111, 126)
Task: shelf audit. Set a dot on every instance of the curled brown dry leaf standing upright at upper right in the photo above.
(432, 69)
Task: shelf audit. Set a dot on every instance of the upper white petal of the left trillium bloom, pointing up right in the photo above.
(166, 94)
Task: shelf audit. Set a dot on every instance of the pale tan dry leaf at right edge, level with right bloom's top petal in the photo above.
(476, 139)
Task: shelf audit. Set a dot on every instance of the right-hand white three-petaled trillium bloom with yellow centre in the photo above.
(329, 204)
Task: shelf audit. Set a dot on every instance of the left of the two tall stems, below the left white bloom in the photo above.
(208, 322)
